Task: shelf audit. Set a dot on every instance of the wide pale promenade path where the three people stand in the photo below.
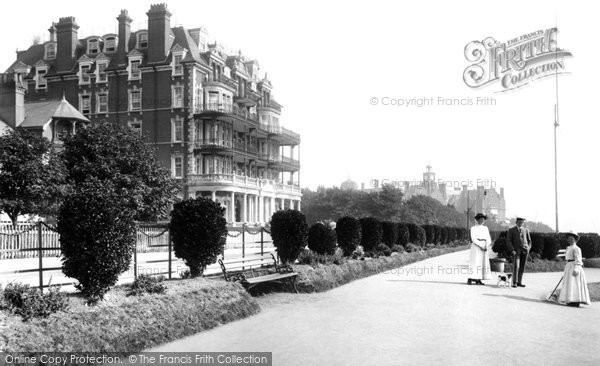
(424, 313)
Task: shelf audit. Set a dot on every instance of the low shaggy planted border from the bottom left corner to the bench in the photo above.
(126, 323)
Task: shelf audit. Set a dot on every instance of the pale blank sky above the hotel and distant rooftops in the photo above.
(329, 60)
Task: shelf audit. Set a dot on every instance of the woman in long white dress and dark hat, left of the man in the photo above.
(479, 260)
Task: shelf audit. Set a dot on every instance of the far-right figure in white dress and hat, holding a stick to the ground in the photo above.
(574, 289)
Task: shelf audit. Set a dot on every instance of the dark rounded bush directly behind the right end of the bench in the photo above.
(290, 233)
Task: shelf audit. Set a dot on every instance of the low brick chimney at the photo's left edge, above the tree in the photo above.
(12, 99)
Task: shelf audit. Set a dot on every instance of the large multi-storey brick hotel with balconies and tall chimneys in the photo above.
(211, 116)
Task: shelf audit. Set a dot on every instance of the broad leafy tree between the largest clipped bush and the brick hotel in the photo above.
(107, 152)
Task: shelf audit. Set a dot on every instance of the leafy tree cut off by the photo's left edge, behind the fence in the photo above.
(31, 175)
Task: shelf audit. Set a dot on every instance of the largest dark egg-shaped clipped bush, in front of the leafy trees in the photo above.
(97, 237)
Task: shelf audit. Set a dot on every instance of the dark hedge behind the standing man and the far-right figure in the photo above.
(547, 245)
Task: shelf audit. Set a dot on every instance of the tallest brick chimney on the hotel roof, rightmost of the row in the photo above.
(159, 29)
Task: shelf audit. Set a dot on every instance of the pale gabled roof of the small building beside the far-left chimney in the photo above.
(38, 114)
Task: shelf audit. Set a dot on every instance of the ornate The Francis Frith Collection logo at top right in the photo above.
(514, 63)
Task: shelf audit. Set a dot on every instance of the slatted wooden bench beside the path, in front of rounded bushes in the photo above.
(243, 270)
